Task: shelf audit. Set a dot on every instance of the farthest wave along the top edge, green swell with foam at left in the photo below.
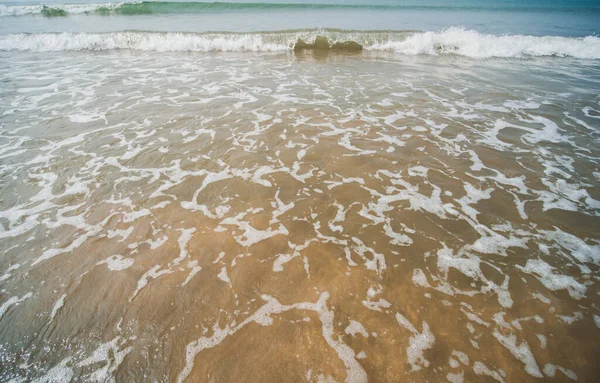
(160, 7)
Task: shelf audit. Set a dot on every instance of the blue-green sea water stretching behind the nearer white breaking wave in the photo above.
(533, 17)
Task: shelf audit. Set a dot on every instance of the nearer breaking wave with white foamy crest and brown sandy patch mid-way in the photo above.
(452, 41)
